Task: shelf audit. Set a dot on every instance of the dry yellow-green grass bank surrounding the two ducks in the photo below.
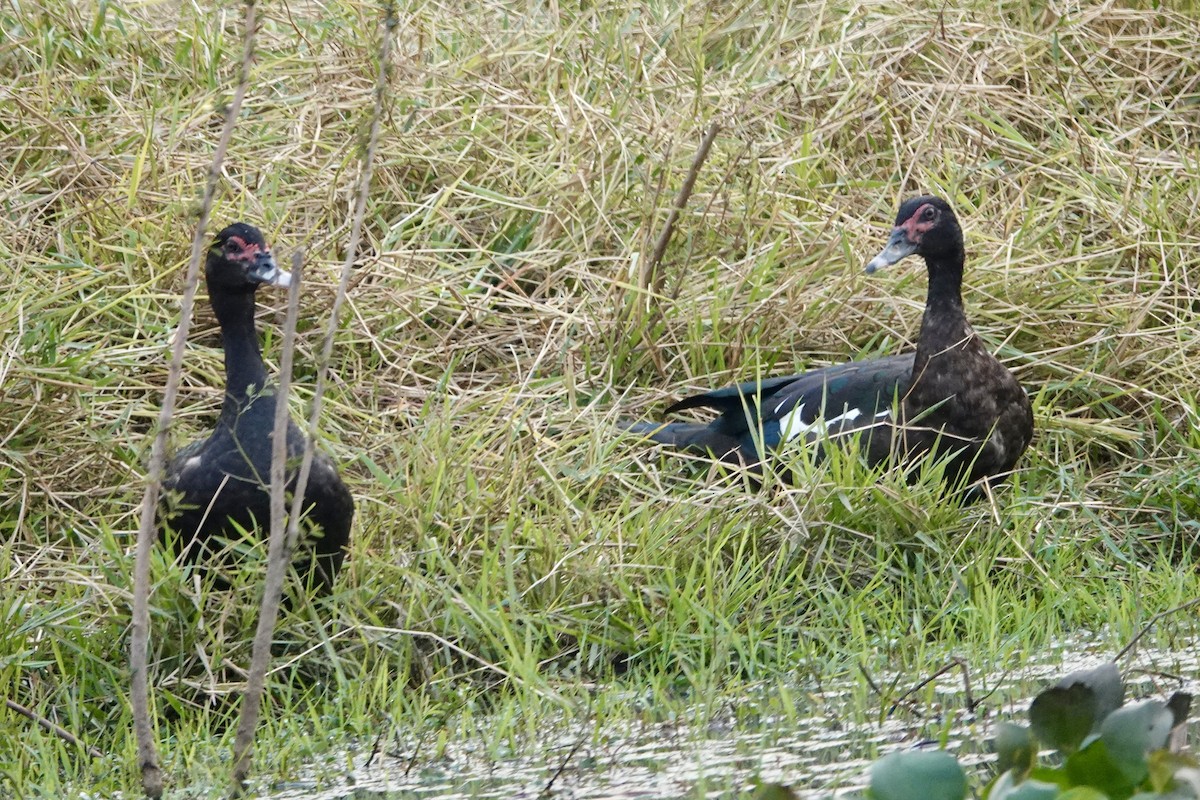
(529, 161)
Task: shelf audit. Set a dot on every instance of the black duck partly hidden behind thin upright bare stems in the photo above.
(221, 485)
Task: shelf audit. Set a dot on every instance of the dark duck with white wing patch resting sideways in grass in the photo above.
(951, 398)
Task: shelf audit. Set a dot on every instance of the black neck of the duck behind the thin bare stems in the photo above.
(245, 372)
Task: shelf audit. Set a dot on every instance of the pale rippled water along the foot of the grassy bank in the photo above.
(821, 754)
